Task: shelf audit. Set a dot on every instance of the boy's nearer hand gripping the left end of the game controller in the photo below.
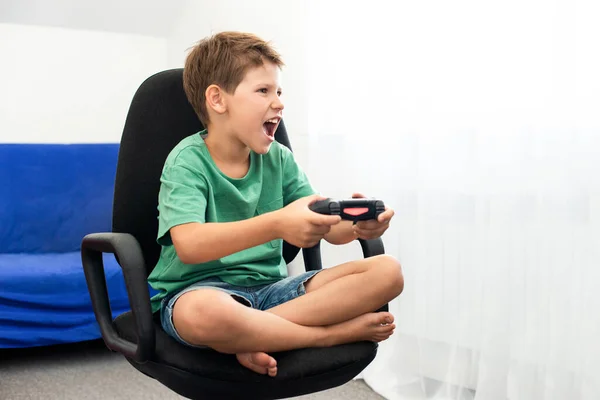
(300, 226)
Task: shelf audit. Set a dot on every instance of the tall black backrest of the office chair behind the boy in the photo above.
(159, 117)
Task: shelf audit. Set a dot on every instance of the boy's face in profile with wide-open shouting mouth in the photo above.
(255, 108)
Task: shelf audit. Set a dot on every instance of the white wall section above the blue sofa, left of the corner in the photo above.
(71, 86)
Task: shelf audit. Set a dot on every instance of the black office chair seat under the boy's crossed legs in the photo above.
(217, 375)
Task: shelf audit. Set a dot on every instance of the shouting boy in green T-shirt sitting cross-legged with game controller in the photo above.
(228, 197)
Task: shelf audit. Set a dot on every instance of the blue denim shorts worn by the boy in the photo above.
(262, 297)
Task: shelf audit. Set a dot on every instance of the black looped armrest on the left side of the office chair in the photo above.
(128, 252)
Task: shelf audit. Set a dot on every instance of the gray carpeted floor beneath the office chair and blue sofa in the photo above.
(90, 371)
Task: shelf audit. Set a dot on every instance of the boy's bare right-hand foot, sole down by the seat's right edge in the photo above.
(374, 327)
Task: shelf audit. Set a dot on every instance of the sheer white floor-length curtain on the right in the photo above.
(478, 122)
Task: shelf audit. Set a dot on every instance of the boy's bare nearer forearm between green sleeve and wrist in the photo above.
(197, 243)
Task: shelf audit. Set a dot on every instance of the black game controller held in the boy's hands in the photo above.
(350, 209)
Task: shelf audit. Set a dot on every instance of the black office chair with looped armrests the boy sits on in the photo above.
(159, 117)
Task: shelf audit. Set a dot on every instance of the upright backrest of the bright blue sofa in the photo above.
(51, 195)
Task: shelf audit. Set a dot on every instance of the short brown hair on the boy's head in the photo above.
(223, 59)
